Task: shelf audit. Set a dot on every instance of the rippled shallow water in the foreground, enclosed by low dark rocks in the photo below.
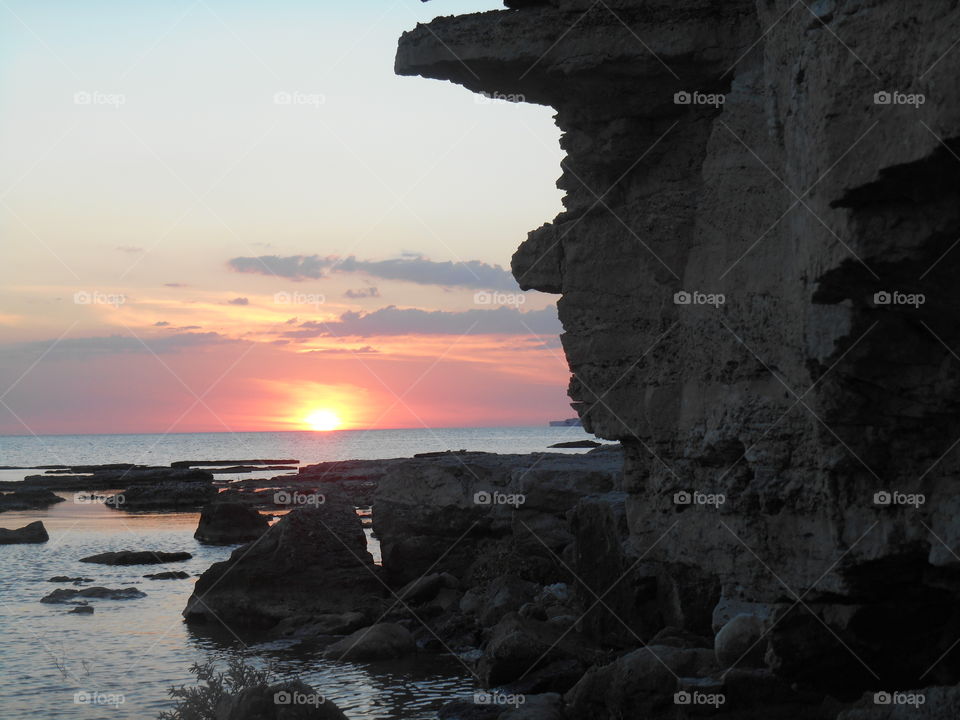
(138, 648)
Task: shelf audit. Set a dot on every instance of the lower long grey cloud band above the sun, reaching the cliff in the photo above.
(396, 321)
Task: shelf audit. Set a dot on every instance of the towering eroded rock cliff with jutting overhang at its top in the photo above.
(779, 157)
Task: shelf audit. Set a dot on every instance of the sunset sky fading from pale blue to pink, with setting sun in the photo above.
(231, 216)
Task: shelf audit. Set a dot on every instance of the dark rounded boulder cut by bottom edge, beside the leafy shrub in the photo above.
(291, 700)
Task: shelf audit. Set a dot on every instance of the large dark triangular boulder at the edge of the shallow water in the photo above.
(313, 562)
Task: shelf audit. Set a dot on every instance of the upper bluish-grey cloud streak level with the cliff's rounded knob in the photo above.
(408, 268)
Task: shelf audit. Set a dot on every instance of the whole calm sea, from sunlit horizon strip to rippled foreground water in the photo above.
(121, 661)
